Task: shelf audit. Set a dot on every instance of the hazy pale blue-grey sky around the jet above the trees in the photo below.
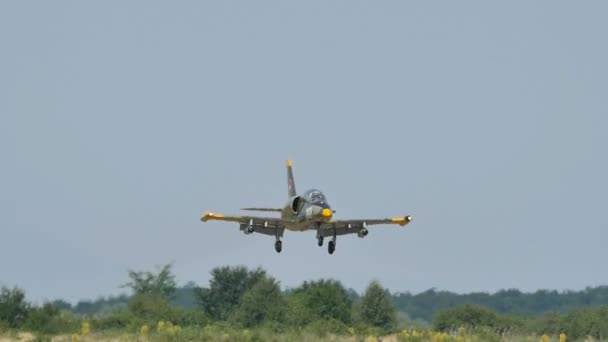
(122, 122)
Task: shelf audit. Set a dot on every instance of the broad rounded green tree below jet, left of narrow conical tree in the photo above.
(319, 300)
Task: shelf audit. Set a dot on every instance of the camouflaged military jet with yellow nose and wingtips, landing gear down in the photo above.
(308, 211)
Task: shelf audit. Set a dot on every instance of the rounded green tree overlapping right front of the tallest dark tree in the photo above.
(264, 302)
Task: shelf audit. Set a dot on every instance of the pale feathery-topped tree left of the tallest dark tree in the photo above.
(161, 283)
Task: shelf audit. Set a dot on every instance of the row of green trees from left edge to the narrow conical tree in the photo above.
(236, 295)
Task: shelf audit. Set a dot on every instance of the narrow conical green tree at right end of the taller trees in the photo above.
(376, 307)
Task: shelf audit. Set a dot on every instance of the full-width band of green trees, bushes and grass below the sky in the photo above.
(250, 305)
